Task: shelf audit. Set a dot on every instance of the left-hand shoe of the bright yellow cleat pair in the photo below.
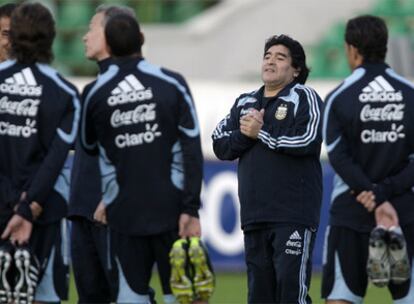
(180, 280)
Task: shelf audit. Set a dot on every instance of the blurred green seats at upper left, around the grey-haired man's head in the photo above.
(73, 16)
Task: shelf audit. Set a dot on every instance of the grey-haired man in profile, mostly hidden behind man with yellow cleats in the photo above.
(91, 250)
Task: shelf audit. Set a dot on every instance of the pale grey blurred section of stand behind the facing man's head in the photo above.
(226, 41)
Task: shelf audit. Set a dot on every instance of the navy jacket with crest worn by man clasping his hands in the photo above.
(280, 179)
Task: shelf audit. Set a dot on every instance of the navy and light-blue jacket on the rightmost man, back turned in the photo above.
(369, 128)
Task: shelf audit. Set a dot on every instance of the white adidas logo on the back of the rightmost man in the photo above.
(379, 89)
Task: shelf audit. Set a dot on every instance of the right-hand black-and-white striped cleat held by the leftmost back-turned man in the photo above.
(27, 275)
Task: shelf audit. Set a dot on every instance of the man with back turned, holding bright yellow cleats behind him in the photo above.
(141, 120)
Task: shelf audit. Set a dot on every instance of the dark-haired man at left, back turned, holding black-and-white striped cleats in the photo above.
(39, 113)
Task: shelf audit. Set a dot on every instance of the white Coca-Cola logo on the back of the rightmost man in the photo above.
(390, 112)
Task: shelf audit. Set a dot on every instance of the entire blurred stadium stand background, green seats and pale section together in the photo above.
(211, 39)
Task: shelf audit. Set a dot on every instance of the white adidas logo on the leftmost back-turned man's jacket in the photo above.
(22, 83)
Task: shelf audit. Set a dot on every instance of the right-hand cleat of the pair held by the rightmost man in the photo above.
(399, 262)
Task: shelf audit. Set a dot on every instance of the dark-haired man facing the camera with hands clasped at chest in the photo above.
(275, 134)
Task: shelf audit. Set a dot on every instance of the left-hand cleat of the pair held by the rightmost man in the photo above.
(378, 268)
